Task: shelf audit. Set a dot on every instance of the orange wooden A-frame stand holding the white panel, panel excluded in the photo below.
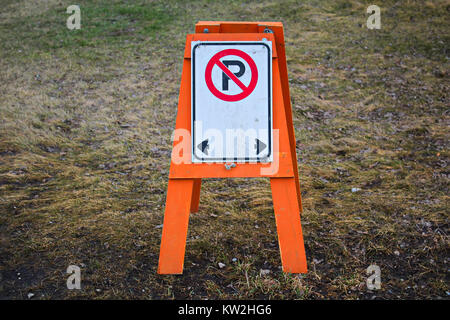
(183, 191)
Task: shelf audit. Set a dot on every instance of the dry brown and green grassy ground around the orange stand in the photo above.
(86, 118)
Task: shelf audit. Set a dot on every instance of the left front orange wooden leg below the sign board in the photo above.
(176, 220)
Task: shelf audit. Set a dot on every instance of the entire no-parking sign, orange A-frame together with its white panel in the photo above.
(225, 107)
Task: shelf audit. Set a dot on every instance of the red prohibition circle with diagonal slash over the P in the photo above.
(246, 90)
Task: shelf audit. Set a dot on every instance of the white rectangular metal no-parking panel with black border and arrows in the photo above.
(231, 110)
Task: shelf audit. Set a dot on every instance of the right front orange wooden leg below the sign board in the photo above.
(287, 217)
